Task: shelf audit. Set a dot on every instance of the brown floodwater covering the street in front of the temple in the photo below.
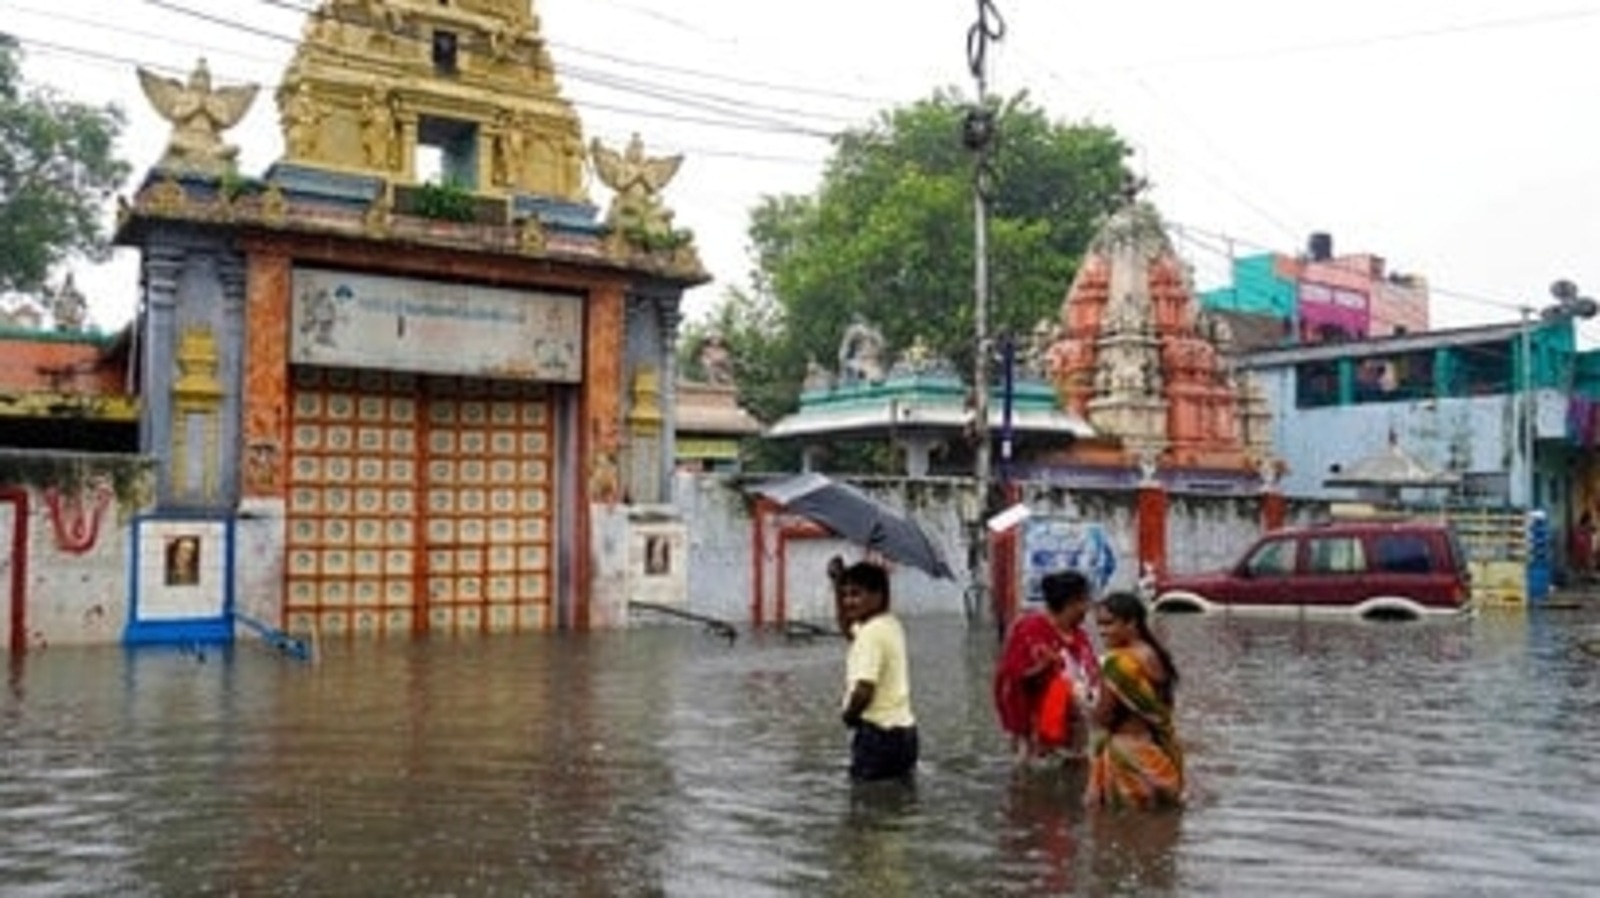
(1326, 760)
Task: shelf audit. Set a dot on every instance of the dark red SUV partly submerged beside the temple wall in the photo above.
(1353, 569)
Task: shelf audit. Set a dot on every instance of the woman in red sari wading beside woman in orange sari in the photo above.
(1047, 678)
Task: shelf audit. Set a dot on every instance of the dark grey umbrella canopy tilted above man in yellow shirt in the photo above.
(858, 518)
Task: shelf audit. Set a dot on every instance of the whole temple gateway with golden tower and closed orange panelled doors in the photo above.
(393, 383)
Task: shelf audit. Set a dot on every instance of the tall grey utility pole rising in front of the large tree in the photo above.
(978, 135)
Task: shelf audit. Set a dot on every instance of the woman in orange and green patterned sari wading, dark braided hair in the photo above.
(1135, 761)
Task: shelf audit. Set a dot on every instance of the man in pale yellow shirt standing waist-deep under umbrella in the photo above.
(878, 680)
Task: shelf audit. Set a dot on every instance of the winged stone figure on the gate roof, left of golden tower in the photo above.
(199, 116)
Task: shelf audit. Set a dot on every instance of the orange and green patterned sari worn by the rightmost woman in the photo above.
(1138, 763)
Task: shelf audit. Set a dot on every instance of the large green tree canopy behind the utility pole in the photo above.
(889, 236)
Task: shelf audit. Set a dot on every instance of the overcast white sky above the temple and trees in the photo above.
(1455, 138)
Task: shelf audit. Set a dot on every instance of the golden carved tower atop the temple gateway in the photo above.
(412, 89)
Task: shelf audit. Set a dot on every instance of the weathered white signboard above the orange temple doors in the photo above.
(433, 327)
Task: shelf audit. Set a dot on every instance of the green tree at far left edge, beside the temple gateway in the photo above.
(57, 172)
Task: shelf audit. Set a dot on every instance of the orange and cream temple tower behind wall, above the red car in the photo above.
(1151, 372)
